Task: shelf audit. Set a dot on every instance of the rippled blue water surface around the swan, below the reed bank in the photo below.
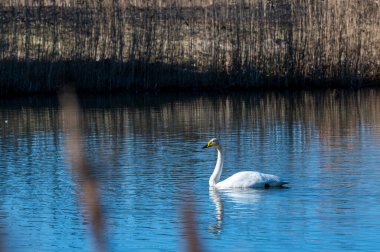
(149, 158)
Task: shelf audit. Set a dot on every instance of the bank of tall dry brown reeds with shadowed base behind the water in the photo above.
(114, 45)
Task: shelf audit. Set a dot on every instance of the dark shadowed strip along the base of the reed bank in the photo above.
(105, 77)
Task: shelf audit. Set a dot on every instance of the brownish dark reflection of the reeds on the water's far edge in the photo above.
(149, 116)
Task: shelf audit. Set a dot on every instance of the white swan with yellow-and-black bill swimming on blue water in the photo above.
(245, 179)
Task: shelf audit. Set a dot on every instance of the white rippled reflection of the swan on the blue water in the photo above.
(249, 197)
